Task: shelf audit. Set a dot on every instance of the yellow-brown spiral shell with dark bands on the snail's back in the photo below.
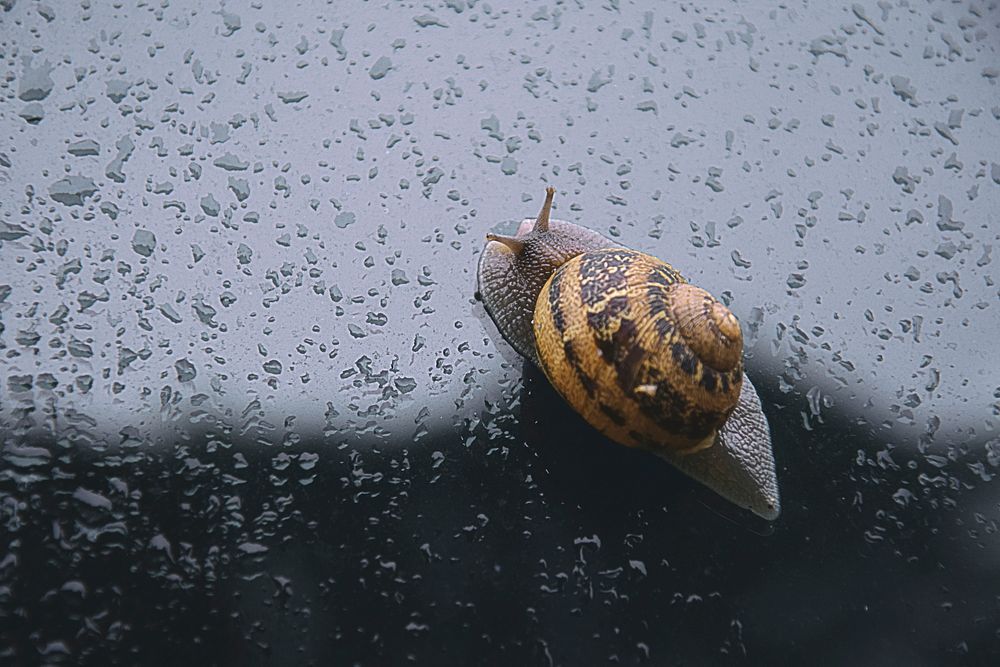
(645, 357)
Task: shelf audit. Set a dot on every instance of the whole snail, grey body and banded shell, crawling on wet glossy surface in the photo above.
(645, 357)
